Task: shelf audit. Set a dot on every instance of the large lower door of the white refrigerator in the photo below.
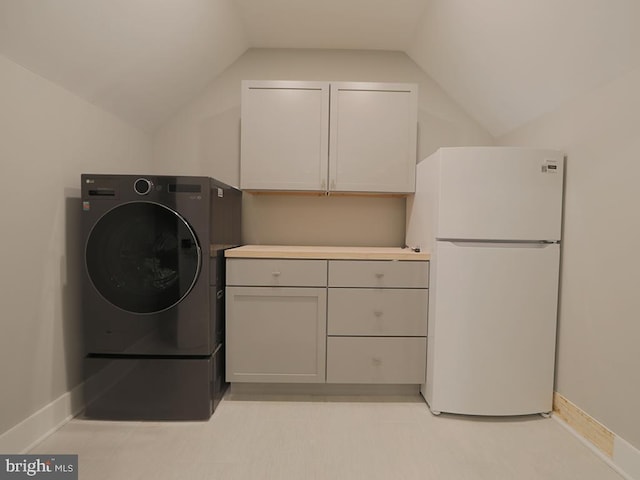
(492, 328)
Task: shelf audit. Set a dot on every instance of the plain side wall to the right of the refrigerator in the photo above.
(599, 325)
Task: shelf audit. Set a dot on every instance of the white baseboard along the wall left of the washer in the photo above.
(32, 430)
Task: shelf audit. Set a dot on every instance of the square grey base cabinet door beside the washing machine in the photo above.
(276, 334)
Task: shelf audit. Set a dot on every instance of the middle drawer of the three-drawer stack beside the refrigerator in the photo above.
(377, 312)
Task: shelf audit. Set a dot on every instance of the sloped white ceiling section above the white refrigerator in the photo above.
(507, 62)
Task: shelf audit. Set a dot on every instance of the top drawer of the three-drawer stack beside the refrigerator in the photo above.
(378, 273)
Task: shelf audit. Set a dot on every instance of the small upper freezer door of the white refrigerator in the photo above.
(502, 193)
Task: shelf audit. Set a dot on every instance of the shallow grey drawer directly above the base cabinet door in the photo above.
(276, 272)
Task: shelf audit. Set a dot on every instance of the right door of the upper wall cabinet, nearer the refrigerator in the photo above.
(373, 137)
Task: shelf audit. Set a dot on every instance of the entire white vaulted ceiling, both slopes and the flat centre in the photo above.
(505, 61)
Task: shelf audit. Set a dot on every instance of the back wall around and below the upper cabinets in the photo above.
(204, 139)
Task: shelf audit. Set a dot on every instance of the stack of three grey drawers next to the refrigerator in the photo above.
(377, 322)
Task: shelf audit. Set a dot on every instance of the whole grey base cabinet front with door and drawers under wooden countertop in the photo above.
(333, 321)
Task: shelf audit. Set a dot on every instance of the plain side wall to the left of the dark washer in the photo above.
(48, 137)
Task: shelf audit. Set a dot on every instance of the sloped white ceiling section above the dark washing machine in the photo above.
(139, 59)
